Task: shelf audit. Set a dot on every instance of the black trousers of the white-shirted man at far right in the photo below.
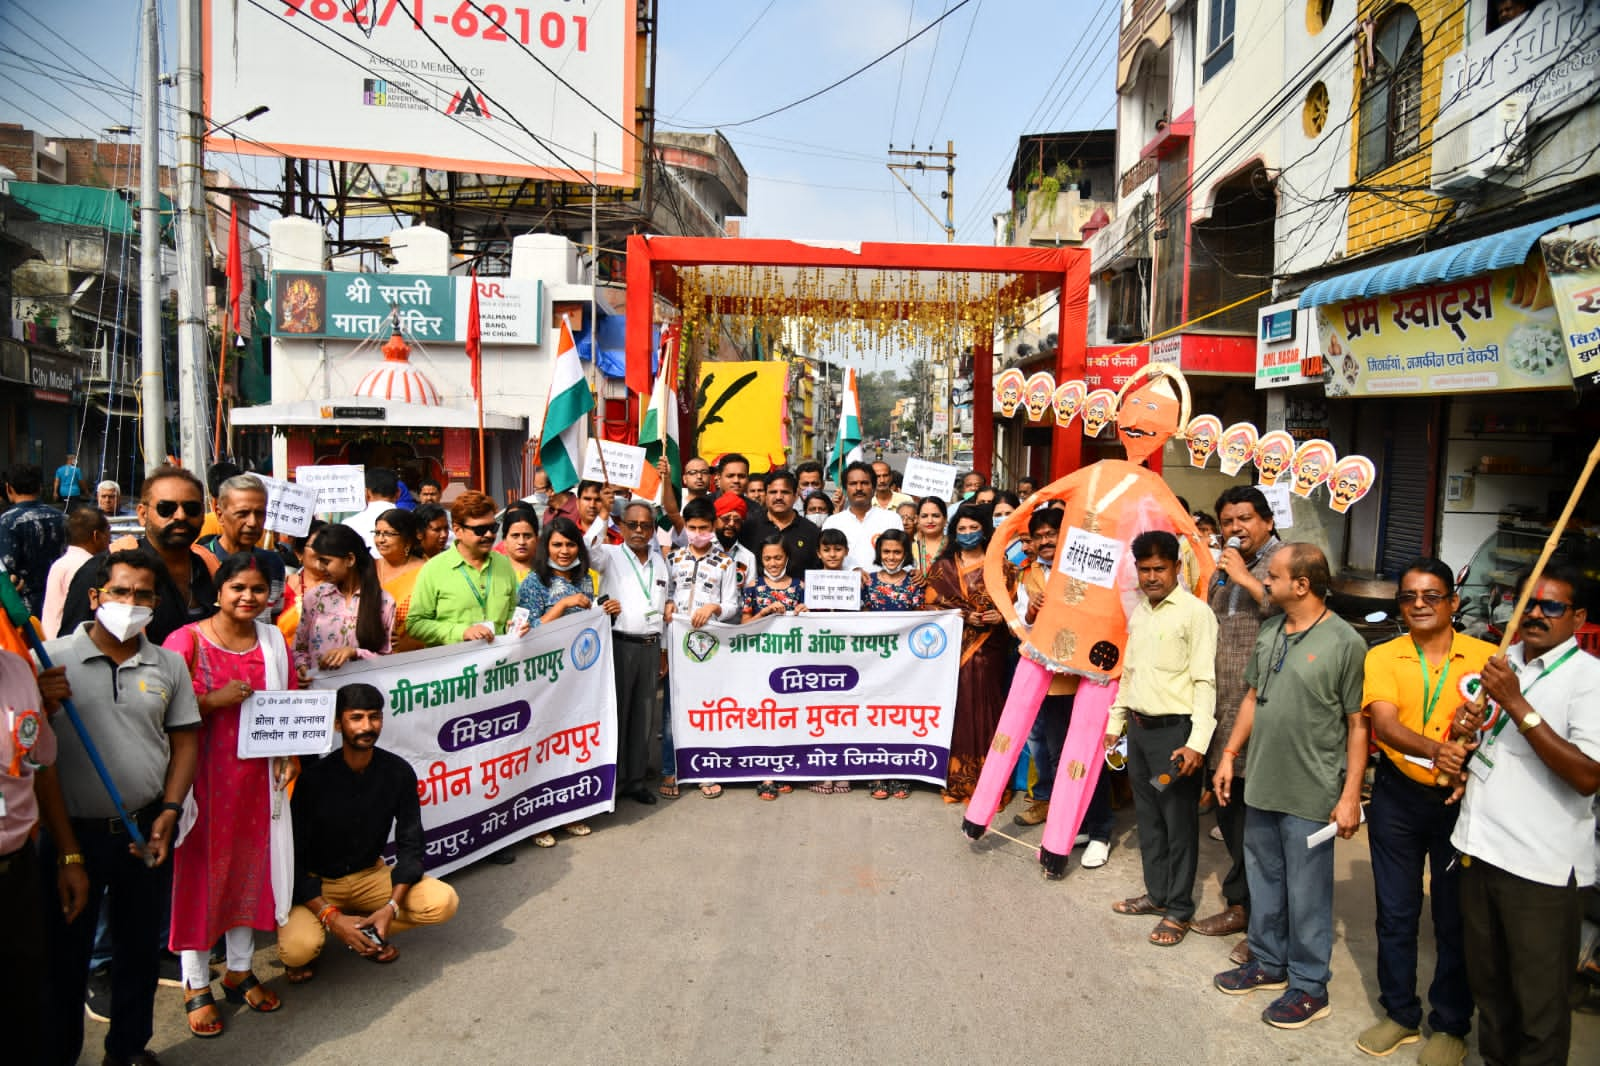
(1522, 952)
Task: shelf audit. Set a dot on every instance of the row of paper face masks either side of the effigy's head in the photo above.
(1278, 457)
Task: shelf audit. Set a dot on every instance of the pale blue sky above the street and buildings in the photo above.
(985, 76)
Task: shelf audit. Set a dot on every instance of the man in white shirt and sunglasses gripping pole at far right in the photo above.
(1527, 827)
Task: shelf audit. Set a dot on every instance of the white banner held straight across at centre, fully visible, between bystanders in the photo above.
(857, 697)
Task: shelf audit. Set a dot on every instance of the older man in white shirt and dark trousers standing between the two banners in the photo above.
(638, 579)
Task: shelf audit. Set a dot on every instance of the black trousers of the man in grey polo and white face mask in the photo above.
(140, 899)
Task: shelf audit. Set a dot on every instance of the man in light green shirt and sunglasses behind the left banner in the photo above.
(468, 591)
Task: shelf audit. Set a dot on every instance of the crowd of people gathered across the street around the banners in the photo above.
(1250, 697)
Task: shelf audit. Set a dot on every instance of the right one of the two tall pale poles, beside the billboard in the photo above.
(194, 247)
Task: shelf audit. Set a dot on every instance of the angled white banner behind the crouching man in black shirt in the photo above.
(508, 739)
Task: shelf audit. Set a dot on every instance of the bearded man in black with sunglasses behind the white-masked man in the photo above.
(172, 510)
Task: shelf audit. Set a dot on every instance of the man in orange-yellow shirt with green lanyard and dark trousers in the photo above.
(1410, 697)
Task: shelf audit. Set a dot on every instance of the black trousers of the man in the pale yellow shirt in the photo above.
(1169, 819)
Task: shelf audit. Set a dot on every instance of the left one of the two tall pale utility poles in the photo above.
(153, 377)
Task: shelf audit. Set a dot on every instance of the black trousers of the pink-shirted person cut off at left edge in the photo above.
(22, 956)
